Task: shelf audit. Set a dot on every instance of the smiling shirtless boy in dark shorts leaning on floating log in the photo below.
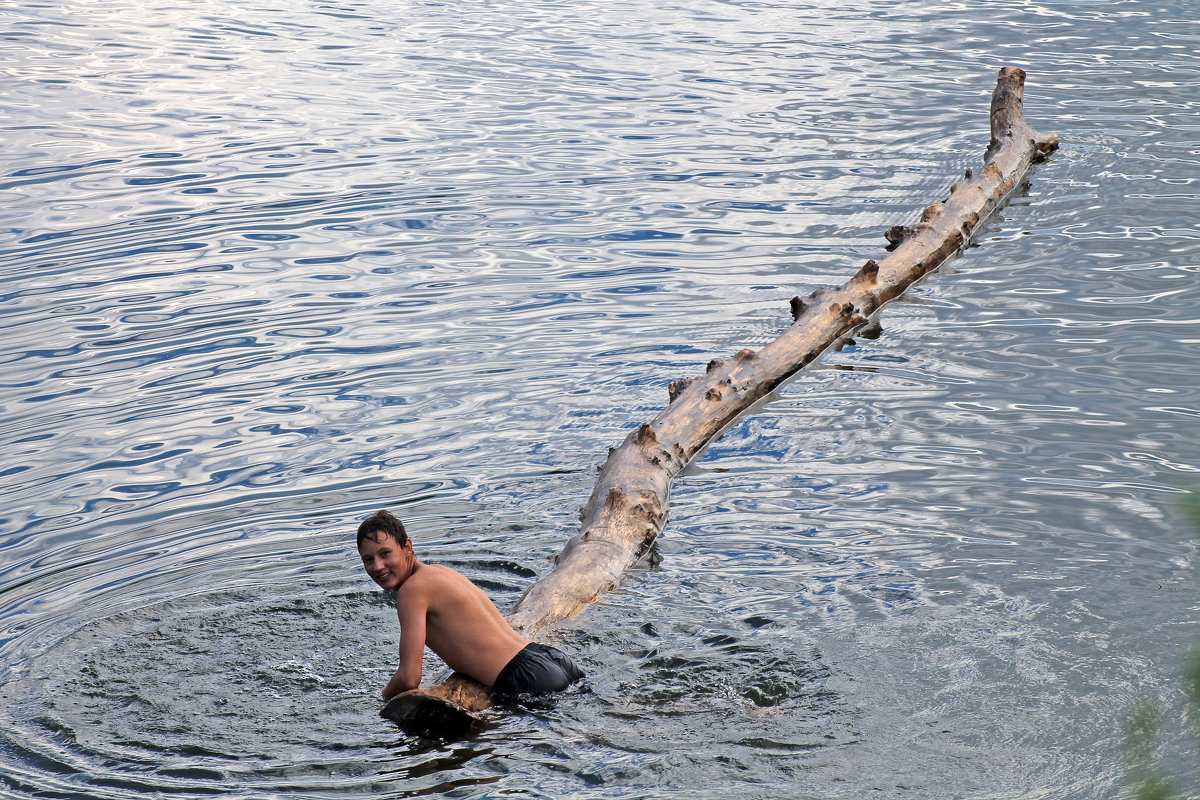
(443, 610)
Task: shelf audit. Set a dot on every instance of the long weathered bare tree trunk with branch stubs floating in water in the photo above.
(629, 504)
